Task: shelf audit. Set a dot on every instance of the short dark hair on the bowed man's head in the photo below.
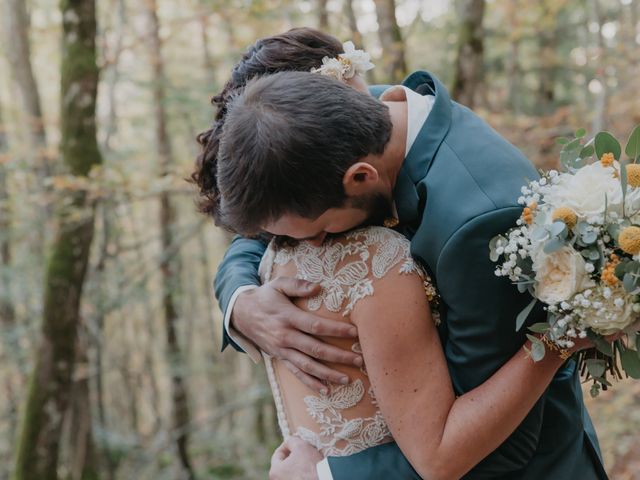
(286, 144)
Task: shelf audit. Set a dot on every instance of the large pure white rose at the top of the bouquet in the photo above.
(584, 192)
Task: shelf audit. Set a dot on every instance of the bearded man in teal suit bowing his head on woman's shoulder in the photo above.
(303, 155)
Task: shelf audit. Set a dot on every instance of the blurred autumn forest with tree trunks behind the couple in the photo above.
(109, 331)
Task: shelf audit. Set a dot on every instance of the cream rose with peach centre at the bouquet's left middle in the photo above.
(560, 275)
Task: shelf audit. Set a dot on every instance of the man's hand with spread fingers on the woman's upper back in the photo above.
(268, 318)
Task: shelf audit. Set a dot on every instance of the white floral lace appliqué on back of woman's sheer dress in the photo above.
(346, 272)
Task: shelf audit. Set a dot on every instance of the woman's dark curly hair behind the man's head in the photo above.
(299, 49)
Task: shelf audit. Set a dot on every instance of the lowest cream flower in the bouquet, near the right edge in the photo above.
(615, 312)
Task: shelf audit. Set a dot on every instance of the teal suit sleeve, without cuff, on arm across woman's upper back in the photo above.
(239, 268)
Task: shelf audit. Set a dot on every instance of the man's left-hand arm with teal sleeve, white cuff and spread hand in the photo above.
(266, 318)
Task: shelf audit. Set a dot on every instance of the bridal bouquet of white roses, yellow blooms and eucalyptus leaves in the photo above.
(576, 249)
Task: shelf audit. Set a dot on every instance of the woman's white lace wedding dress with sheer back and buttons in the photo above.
(347, 419)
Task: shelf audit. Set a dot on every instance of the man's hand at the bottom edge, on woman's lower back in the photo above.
(295, 458)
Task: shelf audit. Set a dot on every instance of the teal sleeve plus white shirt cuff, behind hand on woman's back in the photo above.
(237, 272)
